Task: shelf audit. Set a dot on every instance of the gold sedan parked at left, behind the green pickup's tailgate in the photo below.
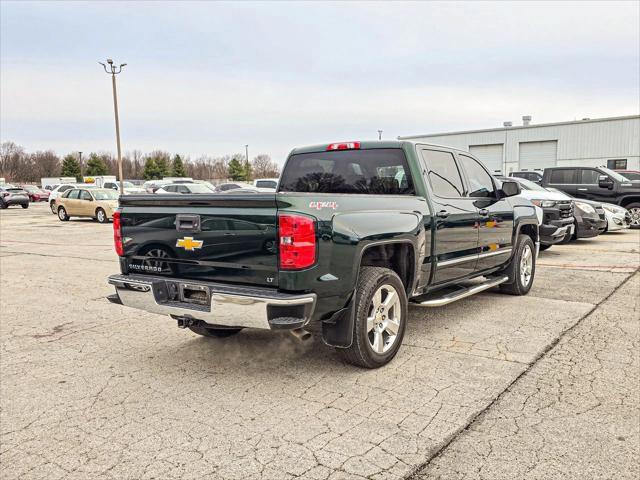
(98, 203)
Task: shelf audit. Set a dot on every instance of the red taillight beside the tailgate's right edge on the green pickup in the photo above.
(297, 235)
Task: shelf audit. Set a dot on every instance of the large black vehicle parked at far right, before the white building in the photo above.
(597, 183)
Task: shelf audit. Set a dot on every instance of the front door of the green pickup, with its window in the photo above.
(496, 215)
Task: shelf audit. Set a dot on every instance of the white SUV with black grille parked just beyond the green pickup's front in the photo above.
(557, 220)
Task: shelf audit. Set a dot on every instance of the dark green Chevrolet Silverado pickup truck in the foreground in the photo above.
(354, 233)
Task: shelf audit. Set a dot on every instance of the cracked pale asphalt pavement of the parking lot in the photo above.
(493, 386)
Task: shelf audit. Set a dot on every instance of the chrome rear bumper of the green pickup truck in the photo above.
(224, 305)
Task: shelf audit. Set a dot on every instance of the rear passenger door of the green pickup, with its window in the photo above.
(456, 217)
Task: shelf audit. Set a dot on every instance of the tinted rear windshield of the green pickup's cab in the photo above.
(376, 172)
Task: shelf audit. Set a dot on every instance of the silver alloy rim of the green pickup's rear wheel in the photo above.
(383, 319)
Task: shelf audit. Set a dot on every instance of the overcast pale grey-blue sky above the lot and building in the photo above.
(207, 78)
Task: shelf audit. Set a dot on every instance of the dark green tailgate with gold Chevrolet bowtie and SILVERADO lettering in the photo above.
(217, 237)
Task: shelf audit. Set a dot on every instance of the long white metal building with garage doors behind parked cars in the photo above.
(612, 142)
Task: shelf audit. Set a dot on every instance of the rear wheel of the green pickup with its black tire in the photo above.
(361, 352)
